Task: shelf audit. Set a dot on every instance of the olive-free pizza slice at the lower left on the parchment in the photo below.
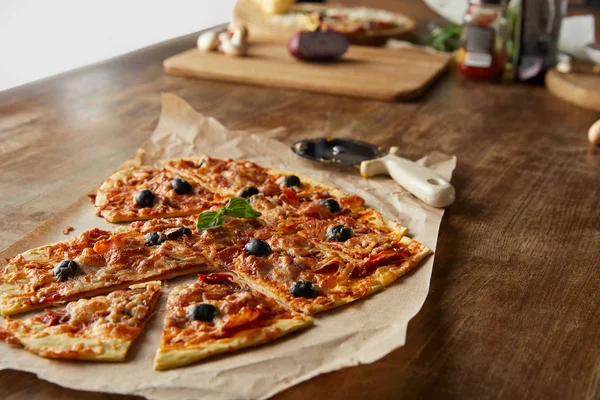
(100, 329)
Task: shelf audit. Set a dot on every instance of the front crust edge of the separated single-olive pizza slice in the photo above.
(177, 357)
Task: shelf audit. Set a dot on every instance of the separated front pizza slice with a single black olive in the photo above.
(218, 314)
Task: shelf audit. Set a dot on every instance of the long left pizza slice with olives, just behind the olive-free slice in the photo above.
(96, 262)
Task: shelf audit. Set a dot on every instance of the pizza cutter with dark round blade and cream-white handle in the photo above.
(372, 160)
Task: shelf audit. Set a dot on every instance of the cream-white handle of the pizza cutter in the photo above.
(417, 179)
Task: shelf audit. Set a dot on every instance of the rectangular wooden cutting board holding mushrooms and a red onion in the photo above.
(365, 72)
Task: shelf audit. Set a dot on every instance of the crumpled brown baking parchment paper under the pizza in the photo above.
(361, 332)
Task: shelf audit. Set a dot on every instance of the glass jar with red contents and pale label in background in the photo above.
(482, 54)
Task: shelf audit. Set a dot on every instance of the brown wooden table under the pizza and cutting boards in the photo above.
(513, 310)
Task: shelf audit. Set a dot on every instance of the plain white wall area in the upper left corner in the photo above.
(39, 38)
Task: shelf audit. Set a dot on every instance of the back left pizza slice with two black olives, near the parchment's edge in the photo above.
(141, 193)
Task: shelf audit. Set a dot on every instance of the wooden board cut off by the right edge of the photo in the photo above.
(581, 89)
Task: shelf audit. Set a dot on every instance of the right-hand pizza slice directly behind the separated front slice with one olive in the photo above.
(308, 275)
